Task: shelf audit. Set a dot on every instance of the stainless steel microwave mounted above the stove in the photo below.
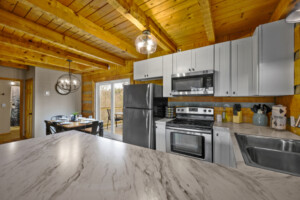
(193, 84)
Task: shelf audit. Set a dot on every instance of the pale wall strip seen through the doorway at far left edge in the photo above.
(5, 111)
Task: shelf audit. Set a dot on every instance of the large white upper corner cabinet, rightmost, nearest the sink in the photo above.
(274, 58)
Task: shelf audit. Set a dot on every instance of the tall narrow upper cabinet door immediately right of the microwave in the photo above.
(222, 69)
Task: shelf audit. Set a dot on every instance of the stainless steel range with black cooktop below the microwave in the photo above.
(190, 134)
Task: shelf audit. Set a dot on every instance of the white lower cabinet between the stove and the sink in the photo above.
(222, 147)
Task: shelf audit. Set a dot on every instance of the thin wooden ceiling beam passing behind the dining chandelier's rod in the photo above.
(31, 63)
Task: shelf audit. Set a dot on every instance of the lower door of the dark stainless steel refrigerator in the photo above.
(138, 127)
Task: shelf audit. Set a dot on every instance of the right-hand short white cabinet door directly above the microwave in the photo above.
(204, 58)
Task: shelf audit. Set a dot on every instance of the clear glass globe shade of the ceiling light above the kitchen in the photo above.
(146, 43)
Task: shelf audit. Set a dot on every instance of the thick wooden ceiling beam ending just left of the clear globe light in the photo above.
(64, 14)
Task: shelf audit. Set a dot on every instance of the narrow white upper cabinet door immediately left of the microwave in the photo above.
(167, 75)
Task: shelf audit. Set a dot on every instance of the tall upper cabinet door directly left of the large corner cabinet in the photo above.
(241, 67)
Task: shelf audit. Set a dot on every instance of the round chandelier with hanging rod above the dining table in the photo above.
(68, 83)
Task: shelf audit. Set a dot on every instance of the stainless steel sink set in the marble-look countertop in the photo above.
(275, 154)
